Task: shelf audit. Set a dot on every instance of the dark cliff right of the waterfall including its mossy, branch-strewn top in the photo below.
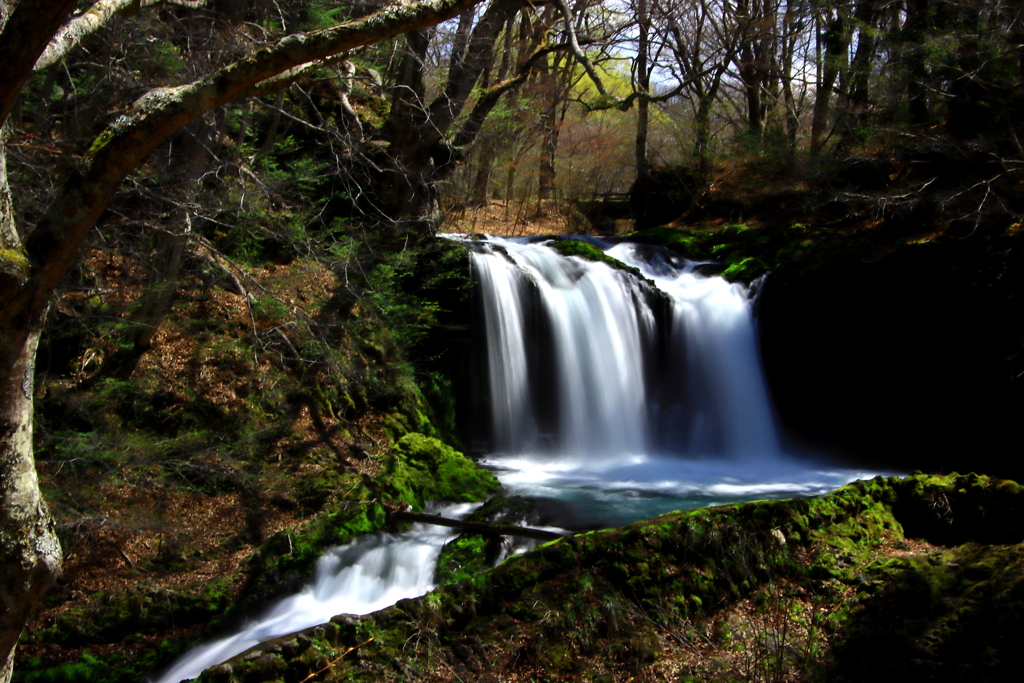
(892, 316)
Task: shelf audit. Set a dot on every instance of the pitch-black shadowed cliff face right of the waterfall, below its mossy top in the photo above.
(911, 359)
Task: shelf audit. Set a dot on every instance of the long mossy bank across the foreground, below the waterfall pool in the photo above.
(920, 577)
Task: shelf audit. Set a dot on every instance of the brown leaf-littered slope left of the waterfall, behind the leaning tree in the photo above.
(150, 500)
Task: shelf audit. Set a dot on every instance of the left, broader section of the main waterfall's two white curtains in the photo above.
(590, 363)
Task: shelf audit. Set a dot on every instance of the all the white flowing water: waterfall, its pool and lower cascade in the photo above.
(614, 400)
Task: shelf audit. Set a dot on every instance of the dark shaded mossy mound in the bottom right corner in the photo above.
(950, 616)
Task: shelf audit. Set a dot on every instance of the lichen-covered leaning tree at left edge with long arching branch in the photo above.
(34, 259)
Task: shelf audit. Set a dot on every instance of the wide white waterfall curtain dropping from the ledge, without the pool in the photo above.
(587, 362)
